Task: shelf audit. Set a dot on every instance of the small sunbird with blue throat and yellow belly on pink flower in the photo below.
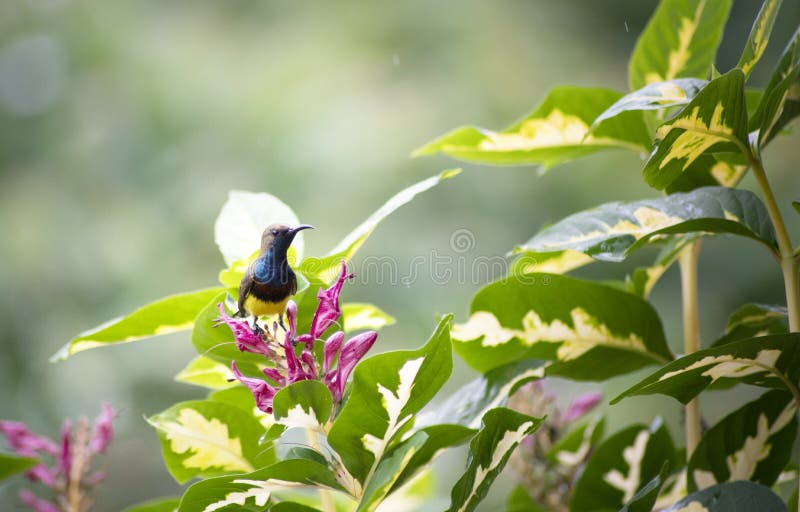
(269, 281)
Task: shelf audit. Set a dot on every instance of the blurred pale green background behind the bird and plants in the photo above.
(124, 124)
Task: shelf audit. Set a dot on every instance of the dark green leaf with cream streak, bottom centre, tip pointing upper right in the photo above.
(503, 429)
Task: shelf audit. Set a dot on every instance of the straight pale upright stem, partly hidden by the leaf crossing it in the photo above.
(687, 262)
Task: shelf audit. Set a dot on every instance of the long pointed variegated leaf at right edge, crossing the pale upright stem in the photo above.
(763, 361)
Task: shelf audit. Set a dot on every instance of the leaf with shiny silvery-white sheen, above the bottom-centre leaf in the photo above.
(468, 405)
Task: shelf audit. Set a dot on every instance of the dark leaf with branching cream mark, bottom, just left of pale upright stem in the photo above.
(621, 465)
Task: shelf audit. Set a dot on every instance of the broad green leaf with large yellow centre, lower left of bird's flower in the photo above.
(207, 438)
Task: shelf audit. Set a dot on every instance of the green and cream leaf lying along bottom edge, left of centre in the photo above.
(252, 491)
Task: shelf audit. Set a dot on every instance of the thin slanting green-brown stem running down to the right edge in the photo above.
(787, 258)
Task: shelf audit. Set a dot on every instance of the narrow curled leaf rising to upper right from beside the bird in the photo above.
(326, 268)
